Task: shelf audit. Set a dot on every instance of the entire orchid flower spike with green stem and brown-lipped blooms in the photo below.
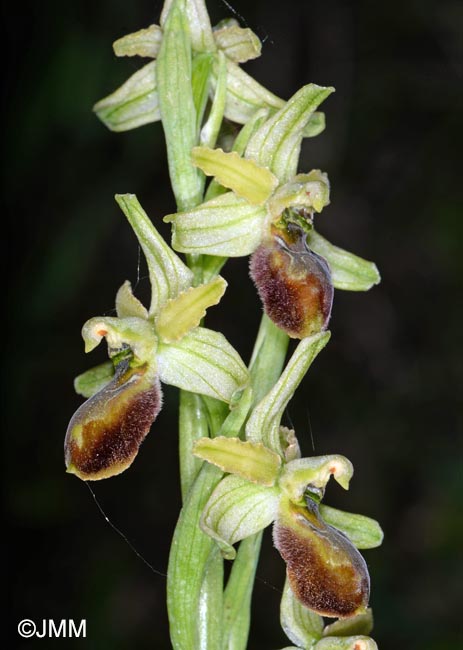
(248, 466)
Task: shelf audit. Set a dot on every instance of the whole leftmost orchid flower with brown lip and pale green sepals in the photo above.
(147, 346)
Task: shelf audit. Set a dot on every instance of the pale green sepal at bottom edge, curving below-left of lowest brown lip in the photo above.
(302, 626)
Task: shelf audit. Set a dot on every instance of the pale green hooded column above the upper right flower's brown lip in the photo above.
(305, 191)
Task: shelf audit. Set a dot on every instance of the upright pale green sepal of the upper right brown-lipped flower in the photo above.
(277, 143)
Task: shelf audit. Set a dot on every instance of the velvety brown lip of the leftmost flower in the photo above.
(105, 433)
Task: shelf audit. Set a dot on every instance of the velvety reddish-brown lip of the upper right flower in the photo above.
(293, 282)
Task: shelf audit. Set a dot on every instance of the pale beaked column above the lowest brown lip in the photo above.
(316, 471)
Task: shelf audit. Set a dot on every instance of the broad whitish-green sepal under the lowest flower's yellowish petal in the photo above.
(238, 509)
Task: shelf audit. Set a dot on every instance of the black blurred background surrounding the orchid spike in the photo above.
(384, 392)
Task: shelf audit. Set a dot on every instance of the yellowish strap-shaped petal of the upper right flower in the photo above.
(247, 179)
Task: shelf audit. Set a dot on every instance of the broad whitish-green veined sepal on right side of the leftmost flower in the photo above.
(203, 362)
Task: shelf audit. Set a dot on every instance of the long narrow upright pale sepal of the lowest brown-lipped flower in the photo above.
(263, 425)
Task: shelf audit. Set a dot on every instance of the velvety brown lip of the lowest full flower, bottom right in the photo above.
(326, 572)
